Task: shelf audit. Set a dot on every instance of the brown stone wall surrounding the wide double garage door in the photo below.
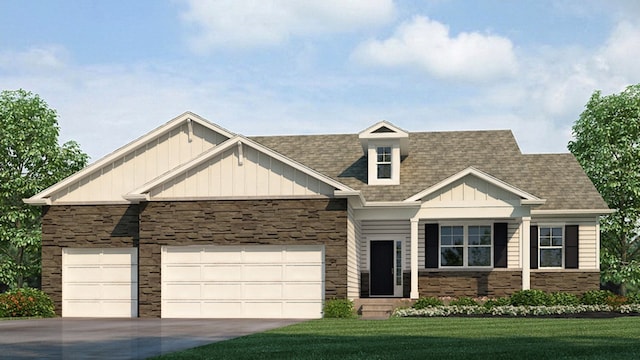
(241, 222)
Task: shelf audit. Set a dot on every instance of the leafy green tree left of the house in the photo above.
(30, 161)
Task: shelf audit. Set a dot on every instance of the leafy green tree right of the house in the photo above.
(607, 145)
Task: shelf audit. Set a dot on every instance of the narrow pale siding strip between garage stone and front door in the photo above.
(353, 254)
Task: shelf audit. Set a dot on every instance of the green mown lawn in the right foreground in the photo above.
(435, 338)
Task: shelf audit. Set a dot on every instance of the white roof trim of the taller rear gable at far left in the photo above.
(187, 117)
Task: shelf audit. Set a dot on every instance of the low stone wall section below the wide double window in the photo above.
(496, 283)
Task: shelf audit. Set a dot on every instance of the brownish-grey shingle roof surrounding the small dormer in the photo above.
(435, 156)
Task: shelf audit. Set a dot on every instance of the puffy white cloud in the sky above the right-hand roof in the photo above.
(427, 44)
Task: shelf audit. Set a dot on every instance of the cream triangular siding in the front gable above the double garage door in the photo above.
(251, 174)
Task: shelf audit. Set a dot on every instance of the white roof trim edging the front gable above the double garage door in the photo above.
(139, 193)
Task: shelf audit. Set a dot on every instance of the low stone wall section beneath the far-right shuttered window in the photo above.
(571, 281)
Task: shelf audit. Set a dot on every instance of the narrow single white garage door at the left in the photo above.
(100, 282)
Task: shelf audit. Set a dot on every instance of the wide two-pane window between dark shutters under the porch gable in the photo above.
(466, 246)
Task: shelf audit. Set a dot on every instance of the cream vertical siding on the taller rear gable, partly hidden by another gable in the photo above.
(141, 165)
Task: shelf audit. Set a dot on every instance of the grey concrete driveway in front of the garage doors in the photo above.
(70, 338)
